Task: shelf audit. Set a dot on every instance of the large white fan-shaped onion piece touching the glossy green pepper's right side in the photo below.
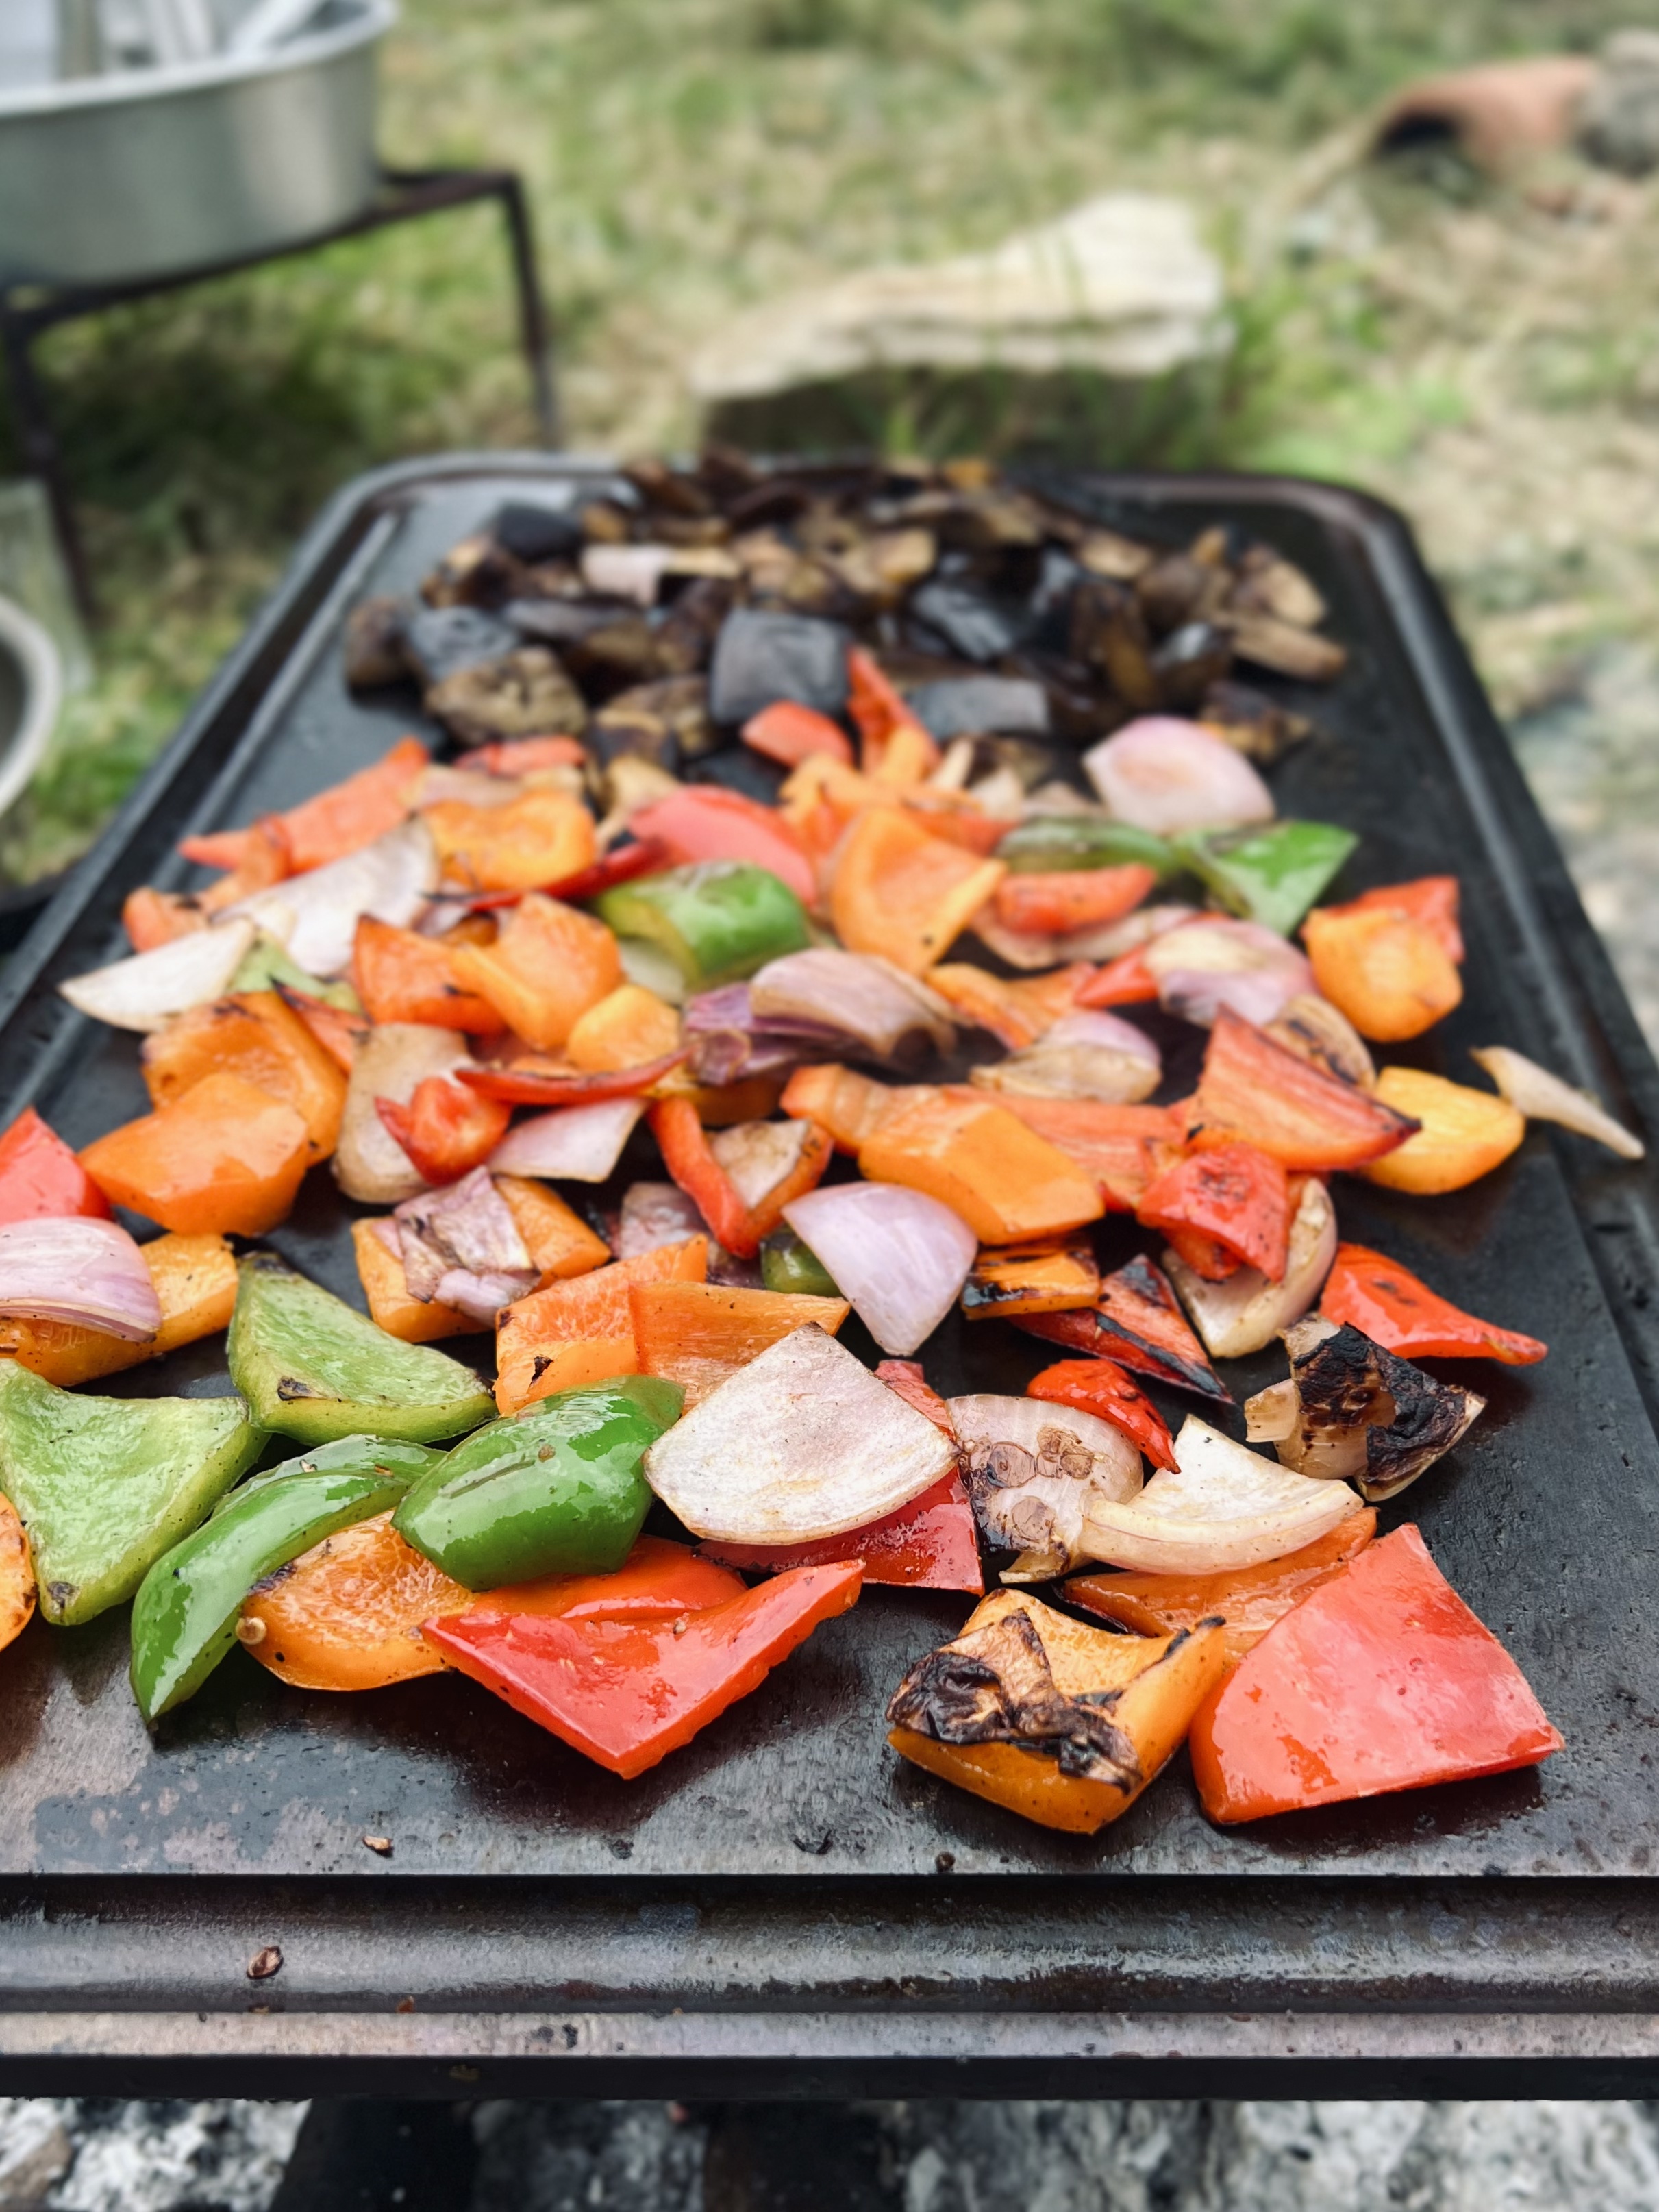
(797, 1446)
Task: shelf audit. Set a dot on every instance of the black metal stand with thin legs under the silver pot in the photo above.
(406, 196)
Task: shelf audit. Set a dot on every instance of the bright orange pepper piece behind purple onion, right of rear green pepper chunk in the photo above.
(904, 893)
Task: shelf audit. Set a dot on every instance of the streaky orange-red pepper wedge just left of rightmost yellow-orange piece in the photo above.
(1295, 1114)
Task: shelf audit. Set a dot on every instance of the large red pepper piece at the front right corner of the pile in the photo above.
(1379, 1680)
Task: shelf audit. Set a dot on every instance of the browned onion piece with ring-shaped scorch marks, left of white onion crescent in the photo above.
(1032, 1472)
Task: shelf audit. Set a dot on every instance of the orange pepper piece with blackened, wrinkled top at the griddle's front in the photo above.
(1058, 1722)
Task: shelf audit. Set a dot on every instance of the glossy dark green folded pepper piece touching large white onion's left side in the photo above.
(556, 1490)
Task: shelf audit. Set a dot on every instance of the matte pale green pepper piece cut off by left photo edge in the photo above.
(107, 1485)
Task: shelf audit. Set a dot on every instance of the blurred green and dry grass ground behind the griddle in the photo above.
(1441, 340)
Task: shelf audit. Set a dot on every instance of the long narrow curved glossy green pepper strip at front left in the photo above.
(185, 1616)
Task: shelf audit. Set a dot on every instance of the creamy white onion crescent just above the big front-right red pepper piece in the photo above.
(1220, 1510)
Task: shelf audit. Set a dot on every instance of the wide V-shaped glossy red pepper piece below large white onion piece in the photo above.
(632, 1691)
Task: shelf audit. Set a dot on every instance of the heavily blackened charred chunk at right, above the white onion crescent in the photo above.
(1355, 1412)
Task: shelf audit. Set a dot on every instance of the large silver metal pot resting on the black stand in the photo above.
(149, 171)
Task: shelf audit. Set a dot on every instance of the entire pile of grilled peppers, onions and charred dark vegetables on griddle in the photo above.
(826, 875)
